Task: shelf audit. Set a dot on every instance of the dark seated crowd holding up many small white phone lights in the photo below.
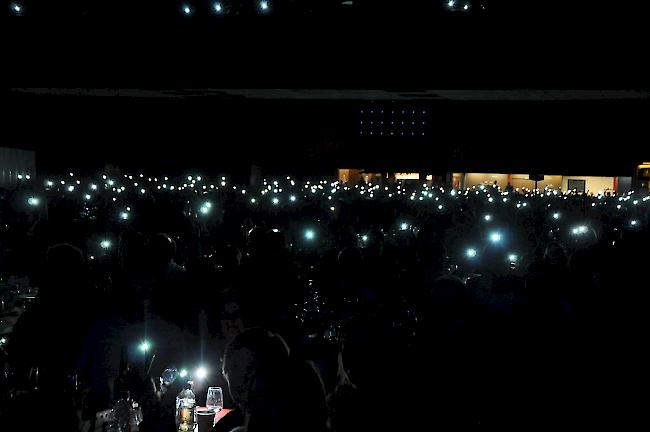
(324, 306)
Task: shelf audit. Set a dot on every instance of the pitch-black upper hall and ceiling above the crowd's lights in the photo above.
(403, 48)
